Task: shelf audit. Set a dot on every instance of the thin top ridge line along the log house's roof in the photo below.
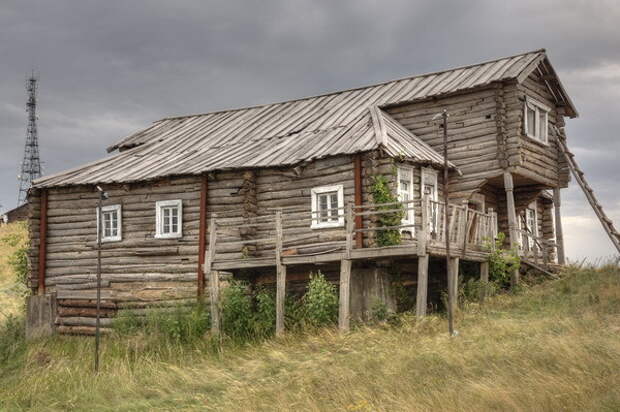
(542, 50)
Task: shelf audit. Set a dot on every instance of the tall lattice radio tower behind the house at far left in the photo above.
(31, 165)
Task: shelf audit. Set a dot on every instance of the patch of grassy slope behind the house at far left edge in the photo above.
(11, 293)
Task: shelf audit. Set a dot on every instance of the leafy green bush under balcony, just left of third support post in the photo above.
(320, 301)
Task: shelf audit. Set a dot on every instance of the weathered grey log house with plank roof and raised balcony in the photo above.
(272, 192)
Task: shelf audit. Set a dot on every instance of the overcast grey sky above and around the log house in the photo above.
(108, 68)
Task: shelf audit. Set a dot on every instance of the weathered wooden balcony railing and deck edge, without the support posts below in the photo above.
(285, 236)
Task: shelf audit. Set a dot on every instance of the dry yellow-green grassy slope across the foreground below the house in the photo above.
(555, 346)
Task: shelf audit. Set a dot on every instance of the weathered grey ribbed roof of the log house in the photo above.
(285, 133)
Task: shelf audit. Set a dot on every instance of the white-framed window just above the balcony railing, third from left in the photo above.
(327, 206)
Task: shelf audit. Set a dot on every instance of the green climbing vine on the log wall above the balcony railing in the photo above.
(383, 193)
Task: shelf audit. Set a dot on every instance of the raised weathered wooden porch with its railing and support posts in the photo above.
(285, 238)
